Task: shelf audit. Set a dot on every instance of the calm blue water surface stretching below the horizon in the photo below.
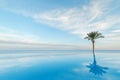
(59, 65)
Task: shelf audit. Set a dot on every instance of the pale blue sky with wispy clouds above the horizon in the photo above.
(58, 24)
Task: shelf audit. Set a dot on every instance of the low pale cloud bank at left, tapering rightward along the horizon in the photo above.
(13, 39)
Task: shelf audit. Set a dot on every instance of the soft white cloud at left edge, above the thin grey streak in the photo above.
(11, 35)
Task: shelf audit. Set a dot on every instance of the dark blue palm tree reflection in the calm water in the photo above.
(96, 69)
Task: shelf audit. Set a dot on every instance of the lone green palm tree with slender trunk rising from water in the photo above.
(93, 36)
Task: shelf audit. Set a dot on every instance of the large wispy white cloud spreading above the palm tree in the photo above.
(90, 17)
